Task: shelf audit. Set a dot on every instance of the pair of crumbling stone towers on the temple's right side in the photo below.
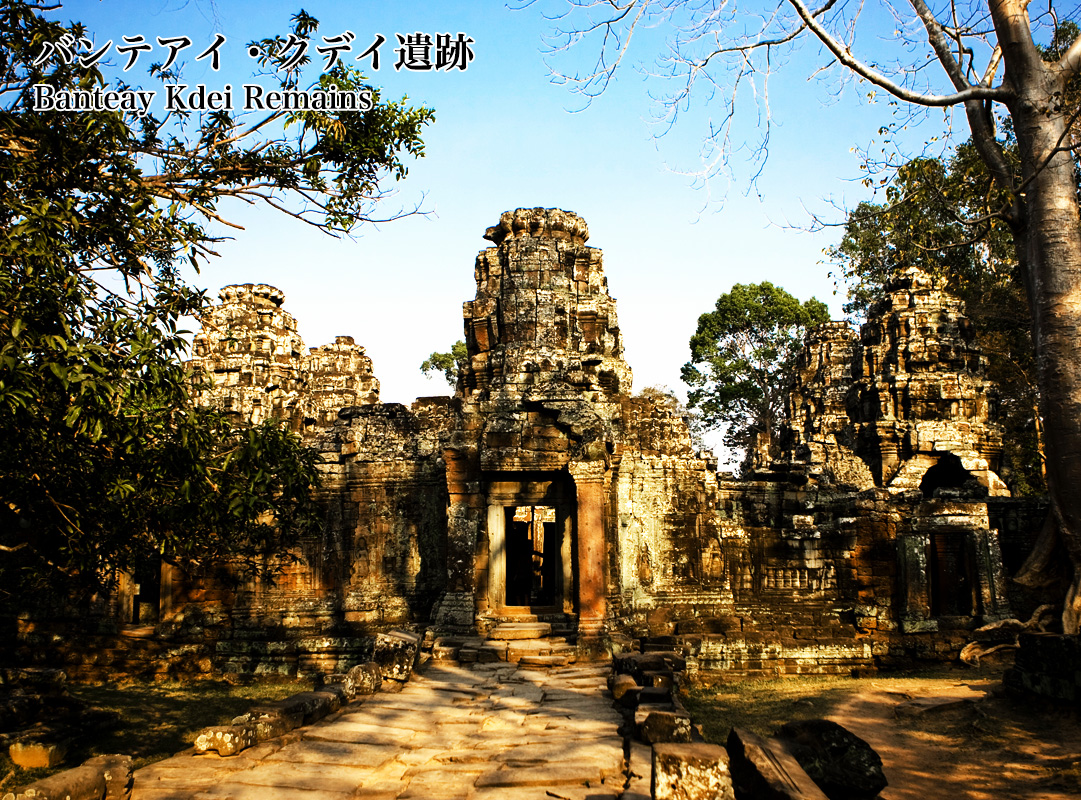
(905, 396)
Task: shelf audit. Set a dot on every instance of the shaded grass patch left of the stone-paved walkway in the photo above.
(156, 721)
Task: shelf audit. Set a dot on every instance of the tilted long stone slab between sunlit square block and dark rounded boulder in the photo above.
(765, 770)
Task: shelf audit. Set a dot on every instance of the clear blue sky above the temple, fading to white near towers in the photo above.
(504, 139)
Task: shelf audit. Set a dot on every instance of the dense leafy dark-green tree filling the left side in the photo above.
(105, 461)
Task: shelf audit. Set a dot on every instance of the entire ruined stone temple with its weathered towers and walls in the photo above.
(545, 488)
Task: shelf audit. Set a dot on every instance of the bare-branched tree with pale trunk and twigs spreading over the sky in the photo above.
(729, 46)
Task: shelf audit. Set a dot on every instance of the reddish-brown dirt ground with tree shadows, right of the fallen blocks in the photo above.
(954, 736)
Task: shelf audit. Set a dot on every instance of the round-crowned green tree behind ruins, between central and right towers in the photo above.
(743, 357)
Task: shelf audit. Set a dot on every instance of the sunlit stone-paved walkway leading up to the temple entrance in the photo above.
(452, 734)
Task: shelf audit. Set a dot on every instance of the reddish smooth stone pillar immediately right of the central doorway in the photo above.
(591, 554)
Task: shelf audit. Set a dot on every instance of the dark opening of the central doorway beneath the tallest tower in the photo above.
(533, 552)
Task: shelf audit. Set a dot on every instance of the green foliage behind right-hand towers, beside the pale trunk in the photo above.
(941, 217)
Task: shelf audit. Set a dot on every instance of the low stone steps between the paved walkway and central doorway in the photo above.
(529, 641)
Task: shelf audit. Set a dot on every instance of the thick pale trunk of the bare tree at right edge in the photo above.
(1048, 236)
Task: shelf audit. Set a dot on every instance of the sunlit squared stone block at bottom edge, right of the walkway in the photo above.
(691, 772)
